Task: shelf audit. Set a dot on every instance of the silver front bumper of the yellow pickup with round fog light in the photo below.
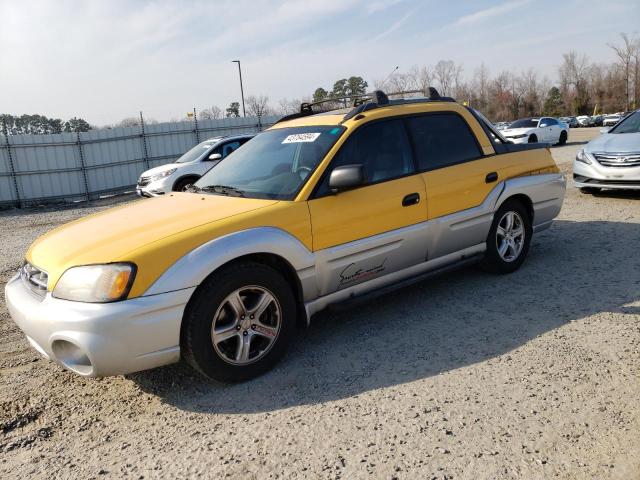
(96, 340)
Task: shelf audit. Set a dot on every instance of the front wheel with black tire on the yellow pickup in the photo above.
(221, 356)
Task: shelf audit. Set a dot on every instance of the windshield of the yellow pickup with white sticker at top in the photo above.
(274, 164)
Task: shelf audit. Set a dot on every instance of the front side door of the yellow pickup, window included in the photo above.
(375, 229)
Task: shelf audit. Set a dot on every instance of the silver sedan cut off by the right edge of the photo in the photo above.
(611, 160)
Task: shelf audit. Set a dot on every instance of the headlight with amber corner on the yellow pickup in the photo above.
(96, 283)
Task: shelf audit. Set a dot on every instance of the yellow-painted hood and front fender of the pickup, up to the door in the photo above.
(154, 233)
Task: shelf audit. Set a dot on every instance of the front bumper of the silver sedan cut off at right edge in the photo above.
(599, 176)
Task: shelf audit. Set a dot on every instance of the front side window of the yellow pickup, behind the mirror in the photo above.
(382, 148)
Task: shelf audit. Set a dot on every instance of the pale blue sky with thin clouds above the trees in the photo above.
(108, 60)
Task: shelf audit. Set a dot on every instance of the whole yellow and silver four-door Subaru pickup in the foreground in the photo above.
(317, 210)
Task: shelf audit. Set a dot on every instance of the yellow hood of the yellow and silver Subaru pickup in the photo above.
(114, 234)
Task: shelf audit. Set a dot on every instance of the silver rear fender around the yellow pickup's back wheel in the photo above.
(546, 192)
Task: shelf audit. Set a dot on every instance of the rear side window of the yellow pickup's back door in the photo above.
(441, 140)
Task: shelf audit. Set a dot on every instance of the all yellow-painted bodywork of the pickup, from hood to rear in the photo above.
(155, 233)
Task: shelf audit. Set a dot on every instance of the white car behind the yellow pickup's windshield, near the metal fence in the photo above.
(181, 174)
